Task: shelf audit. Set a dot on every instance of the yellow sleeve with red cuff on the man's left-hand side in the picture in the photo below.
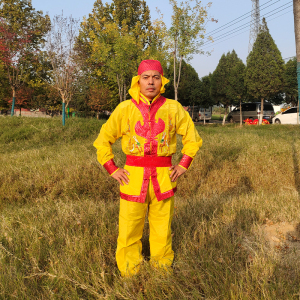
(109, 133)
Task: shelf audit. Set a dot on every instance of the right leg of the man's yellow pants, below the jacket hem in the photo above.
(160, 217)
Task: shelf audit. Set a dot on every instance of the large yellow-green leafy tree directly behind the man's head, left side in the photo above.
(114, 39)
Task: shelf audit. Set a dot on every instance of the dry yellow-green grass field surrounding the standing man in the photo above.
(59, 221)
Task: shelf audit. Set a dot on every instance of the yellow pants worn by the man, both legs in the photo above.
(131, 225)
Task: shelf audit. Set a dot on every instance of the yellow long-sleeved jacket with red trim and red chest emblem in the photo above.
(148, 131)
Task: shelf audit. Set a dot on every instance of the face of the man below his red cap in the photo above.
(150, 84)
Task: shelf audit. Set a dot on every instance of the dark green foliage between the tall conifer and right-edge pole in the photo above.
(290, 82)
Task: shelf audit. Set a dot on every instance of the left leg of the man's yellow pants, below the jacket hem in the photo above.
(131, 225)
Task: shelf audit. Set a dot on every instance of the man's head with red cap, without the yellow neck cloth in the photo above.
(150, 81)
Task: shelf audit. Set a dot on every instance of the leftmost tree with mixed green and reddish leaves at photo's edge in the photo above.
(22, 31)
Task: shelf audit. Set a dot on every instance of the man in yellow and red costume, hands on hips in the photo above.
(148, 124)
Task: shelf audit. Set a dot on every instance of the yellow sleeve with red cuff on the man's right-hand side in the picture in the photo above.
(190, 138)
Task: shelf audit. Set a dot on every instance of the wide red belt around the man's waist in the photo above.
(149, 161)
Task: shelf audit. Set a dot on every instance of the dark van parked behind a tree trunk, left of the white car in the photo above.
(251, 111)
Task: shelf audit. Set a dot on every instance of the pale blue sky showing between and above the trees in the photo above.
(278, 13)
